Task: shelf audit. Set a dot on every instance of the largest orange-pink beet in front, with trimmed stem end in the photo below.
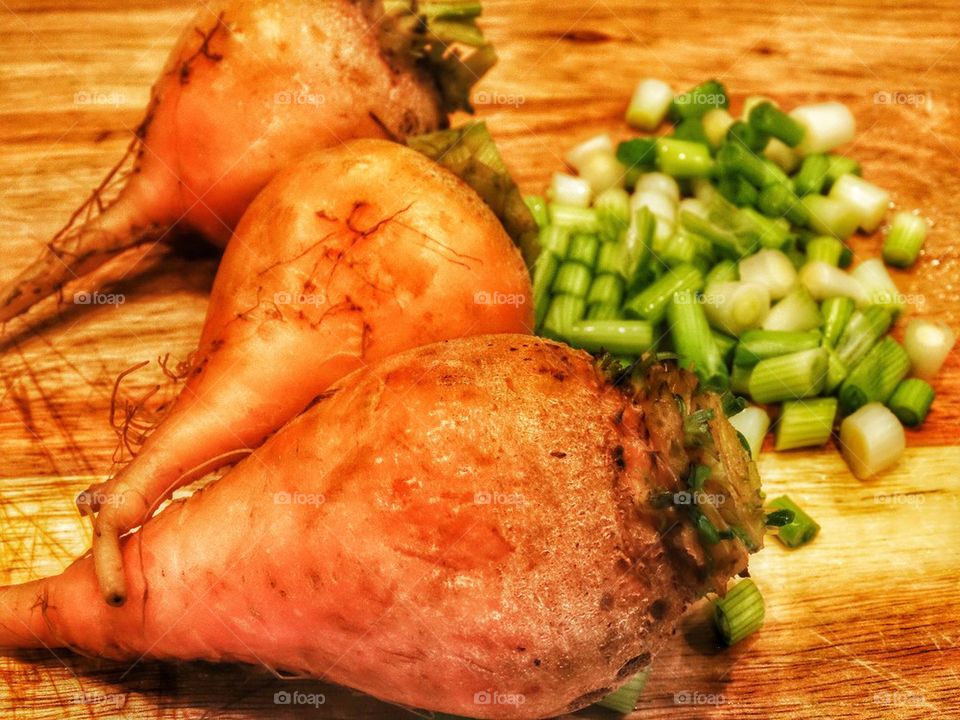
(479, 518)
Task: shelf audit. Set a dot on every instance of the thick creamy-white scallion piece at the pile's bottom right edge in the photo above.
(872, 440)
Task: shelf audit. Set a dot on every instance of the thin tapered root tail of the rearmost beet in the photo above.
(75, 252)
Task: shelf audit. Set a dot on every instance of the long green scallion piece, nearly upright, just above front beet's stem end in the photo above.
(694, 342)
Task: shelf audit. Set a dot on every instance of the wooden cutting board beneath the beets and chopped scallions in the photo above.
(864, 623)
